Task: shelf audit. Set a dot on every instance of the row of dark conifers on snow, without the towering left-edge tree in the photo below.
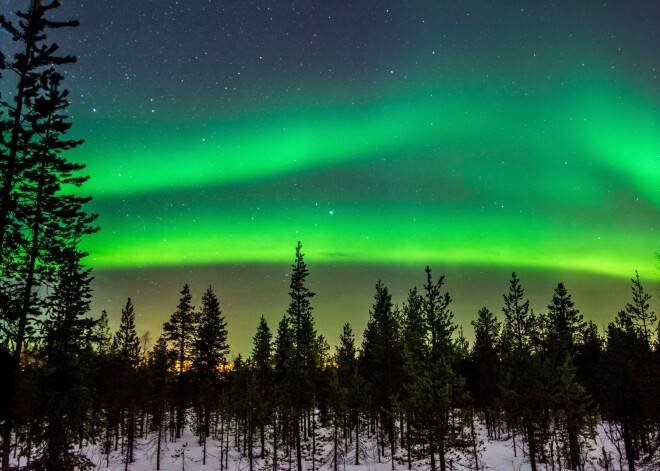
(415, 386)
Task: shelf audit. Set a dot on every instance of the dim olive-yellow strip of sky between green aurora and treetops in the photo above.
(155, 293)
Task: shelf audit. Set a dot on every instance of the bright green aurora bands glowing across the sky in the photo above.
(566, 179)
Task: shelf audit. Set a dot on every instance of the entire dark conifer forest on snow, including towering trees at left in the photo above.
(414, 393)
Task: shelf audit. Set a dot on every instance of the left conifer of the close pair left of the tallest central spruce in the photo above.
(180, 332)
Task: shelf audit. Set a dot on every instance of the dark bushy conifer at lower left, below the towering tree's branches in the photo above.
(63, 396)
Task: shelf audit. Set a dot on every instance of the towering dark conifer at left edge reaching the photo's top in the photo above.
(34, 216)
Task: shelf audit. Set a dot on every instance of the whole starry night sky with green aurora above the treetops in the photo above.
(477, 137)
